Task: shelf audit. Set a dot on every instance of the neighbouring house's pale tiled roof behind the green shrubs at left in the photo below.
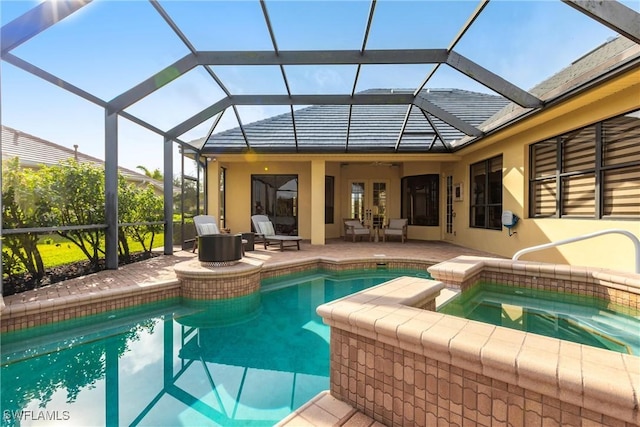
(34, 152)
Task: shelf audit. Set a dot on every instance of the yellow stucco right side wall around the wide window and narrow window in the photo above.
(611, 251)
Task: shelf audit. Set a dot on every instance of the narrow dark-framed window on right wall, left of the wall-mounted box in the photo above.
(486, 194)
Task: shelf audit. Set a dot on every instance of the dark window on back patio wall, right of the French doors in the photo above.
(420, 199)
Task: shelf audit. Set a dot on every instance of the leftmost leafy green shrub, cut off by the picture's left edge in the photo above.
(20, 209)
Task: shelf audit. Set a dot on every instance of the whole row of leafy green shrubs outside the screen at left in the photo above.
(71, 194)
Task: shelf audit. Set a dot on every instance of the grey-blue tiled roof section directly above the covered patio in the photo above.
(374, 128)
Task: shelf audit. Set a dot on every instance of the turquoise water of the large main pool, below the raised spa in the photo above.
(244, 362)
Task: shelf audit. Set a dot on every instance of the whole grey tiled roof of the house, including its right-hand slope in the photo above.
(376, 128)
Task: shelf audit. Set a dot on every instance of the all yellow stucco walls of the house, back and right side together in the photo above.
(617, 96)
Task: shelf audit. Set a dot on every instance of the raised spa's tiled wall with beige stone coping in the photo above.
(534, 376)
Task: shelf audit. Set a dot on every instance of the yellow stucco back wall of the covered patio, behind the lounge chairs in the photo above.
(239, 169)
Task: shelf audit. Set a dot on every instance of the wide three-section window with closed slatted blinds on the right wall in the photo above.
(593, 172)
